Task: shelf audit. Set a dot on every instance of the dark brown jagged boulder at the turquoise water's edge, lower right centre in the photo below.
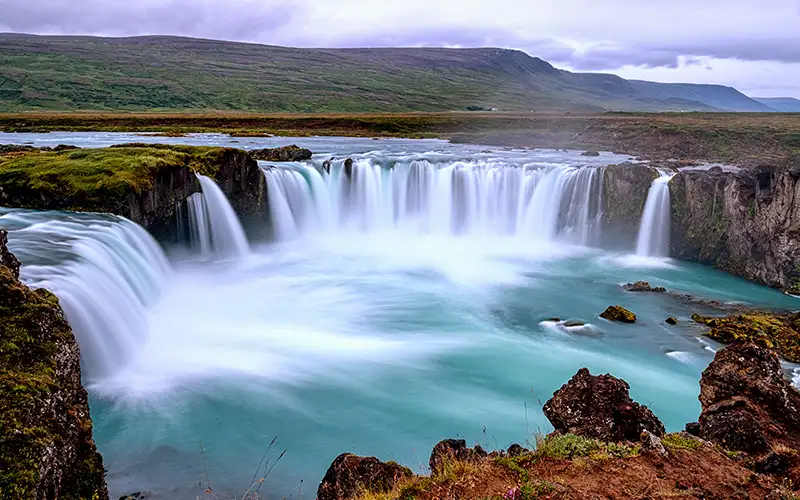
(600, 407)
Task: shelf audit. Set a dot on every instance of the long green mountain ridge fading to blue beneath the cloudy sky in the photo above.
(176, 73)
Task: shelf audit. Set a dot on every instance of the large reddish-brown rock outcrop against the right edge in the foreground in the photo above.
(747, 404)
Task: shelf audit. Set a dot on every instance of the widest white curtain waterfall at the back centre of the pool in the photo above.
(539, 201)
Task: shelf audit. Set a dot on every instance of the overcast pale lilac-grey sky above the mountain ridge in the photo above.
(753, 45)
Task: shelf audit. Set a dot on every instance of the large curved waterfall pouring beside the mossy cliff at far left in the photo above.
(105, 270)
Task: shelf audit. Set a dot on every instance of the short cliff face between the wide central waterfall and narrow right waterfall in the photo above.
(625, 192)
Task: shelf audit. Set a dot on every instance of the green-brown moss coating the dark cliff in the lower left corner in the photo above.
(31, 328)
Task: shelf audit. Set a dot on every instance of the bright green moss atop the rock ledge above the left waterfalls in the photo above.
(97, 179)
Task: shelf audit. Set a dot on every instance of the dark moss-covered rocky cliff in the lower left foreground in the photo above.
(46, 445)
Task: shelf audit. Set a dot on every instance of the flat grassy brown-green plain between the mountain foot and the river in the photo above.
(737, 138)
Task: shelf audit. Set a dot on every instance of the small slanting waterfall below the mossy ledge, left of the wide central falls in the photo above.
(213, 225)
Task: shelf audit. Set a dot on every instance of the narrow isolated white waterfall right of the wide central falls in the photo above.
(654, 230)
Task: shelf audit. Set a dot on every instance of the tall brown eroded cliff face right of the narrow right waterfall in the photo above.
(746, 223)
